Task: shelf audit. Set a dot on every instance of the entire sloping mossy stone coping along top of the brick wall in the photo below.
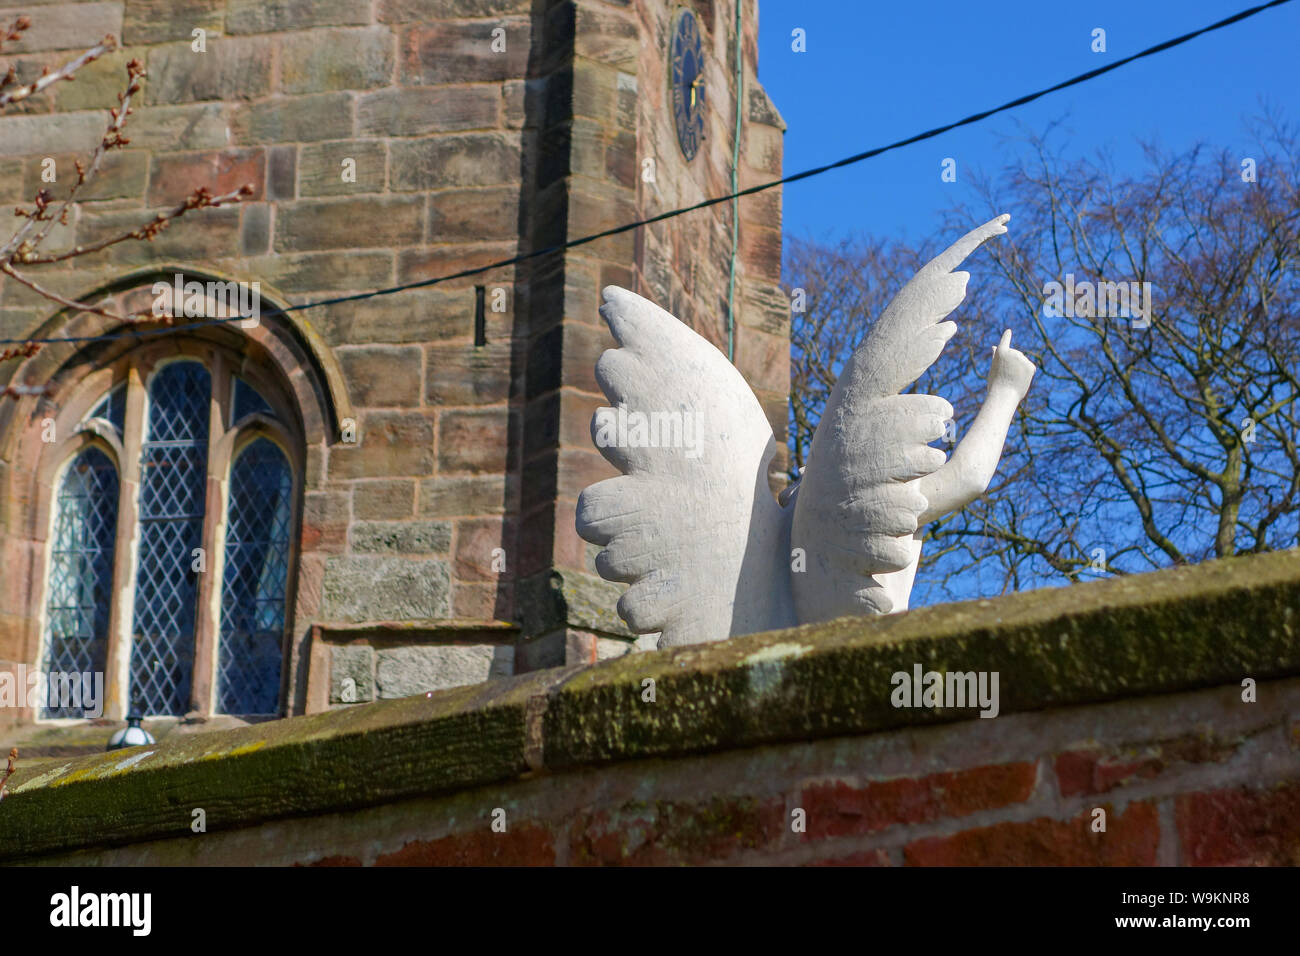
(1177, 630)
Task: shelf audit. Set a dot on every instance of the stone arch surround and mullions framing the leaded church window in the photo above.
(274, 379)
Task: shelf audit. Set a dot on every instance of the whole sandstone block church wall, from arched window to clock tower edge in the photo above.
(471, 132)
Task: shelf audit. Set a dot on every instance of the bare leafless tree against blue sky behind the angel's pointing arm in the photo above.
(1162, 429)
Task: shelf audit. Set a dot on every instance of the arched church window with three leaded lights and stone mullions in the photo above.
(171, 560)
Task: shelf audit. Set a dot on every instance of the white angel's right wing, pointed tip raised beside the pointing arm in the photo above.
(859, 504)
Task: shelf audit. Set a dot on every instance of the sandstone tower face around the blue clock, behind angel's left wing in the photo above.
(625, 163)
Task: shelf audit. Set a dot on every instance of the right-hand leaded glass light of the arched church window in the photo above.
(253, 595)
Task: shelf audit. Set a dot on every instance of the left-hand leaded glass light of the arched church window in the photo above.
(81, 583)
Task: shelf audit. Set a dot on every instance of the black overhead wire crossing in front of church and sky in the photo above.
(705, 205)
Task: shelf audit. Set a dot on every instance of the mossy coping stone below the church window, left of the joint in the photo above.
(350, 758)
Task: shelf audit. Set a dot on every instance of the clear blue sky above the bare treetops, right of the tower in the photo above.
(878, 72)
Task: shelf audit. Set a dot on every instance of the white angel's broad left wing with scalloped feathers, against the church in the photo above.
(691, 524)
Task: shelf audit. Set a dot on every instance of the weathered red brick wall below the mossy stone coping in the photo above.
(1194, 780)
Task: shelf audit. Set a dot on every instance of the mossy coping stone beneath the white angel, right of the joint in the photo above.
(1160, 633)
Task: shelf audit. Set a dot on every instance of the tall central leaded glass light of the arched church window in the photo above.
(174, 481)
